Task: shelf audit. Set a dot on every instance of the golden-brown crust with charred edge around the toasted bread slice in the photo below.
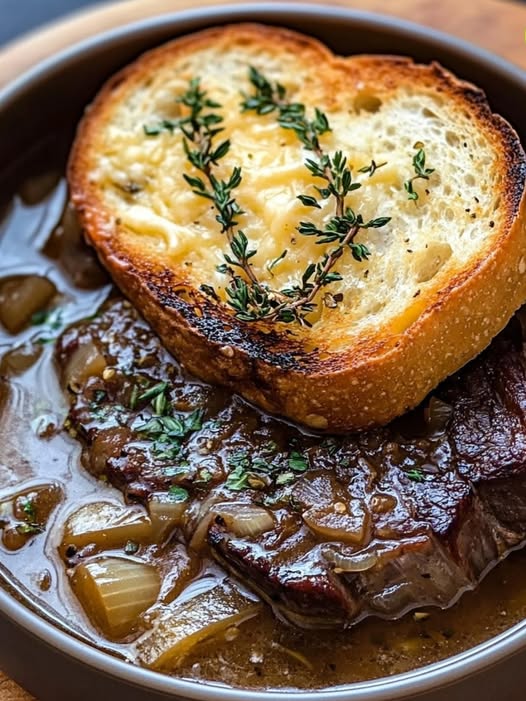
(379, 377)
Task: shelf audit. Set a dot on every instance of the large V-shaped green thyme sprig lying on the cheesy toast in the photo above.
(250, 298)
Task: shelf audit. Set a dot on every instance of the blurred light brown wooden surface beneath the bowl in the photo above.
(495, 25)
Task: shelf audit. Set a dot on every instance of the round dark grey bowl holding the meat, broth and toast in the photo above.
(50, 663)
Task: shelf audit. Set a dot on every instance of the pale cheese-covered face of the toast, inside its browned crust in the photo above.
(423, 244)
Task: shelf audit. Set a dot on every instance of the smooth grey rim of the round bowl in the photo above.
(400, 686)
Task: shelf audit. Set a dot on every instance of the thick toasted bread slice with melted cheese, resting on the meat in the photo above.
(444, 275)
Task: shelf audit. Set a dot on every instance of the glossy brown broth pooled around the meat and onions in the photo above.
(262, 653)
